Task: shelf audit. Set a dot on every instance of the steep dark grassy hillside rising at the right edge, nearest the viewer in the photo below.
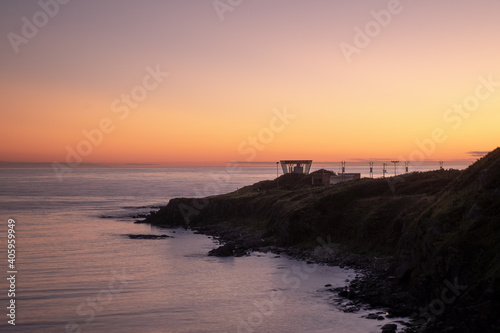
(459, 233)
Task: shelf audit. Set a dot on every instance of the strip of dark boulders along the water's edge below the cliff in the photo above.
(371, 290)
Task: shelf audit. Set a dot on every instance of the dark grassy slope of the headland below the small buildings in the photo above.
(368, 215)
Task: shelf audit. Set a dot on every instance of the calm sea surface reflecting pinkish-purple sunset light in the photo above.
(78, 271)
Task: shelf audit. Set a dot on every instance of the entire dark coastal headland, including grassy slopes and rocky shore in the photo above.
(430, 241)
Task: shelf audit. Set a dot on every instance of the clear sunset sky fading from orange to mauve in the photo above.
(185, 82)
